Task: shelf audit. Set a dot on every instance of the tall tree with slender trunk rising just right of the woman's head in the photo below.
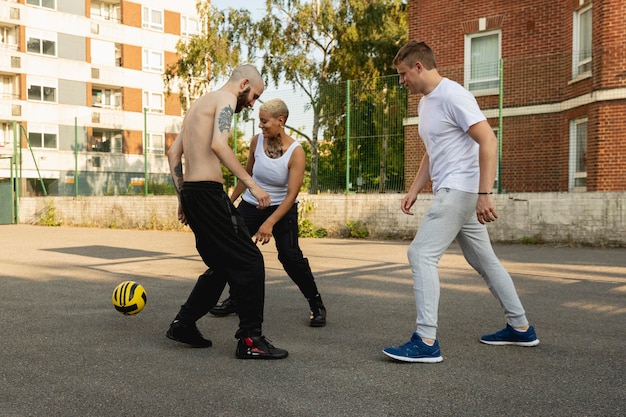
(328, 41)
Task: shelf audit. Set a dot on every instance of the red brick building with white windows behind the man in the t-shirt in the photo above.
(561, 117)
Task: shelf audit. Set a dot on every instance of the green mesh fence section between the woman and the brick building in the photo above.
(355, 142)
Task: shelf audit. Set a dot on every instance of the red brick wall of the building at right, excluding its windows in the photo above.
(537, 51)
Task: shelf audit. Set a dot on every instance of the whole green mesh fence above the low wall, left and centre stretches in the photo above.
(352, 134)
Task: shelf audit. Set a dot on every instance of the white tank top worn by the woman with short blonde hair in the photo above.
(271, 174)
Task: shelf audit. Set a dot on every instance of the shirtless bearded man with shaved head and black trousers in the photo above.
(222, 238)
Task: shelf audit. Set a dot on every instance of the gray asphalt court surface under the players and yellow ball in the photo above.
(65, 351)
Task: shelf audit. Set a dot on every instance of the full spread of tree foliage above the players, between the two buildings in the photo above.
(312, 45)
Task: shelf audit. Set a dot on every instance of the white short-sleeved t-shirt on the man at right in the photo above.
(445, 116)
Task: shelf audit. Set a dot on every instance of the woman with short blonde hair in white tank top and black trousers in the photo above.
(276, 162)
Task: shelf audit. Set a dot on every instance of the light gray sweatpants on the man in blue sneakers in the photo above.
(452, 215)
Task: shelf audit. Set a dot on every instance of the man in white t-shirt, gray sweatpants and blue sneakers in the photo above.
(460, 160)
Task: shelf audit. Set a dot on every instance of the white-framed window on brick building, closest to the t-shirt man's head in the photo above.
(482, 62)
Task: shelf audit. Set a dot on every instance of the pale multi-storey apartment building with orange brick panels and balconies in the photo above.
(82, 106)
